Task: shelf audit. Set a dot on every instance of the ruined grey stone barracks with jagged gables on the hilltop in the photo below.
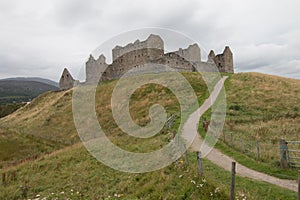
(138, 54)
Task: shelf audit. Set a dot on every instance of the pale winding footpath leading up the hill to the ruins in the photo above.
(218, 157)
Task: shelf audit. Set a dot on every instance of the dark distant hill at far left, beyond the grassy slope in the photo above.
(17, 90)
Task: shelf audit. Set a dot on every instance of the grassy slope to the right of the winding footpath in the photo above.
(251, 118)
